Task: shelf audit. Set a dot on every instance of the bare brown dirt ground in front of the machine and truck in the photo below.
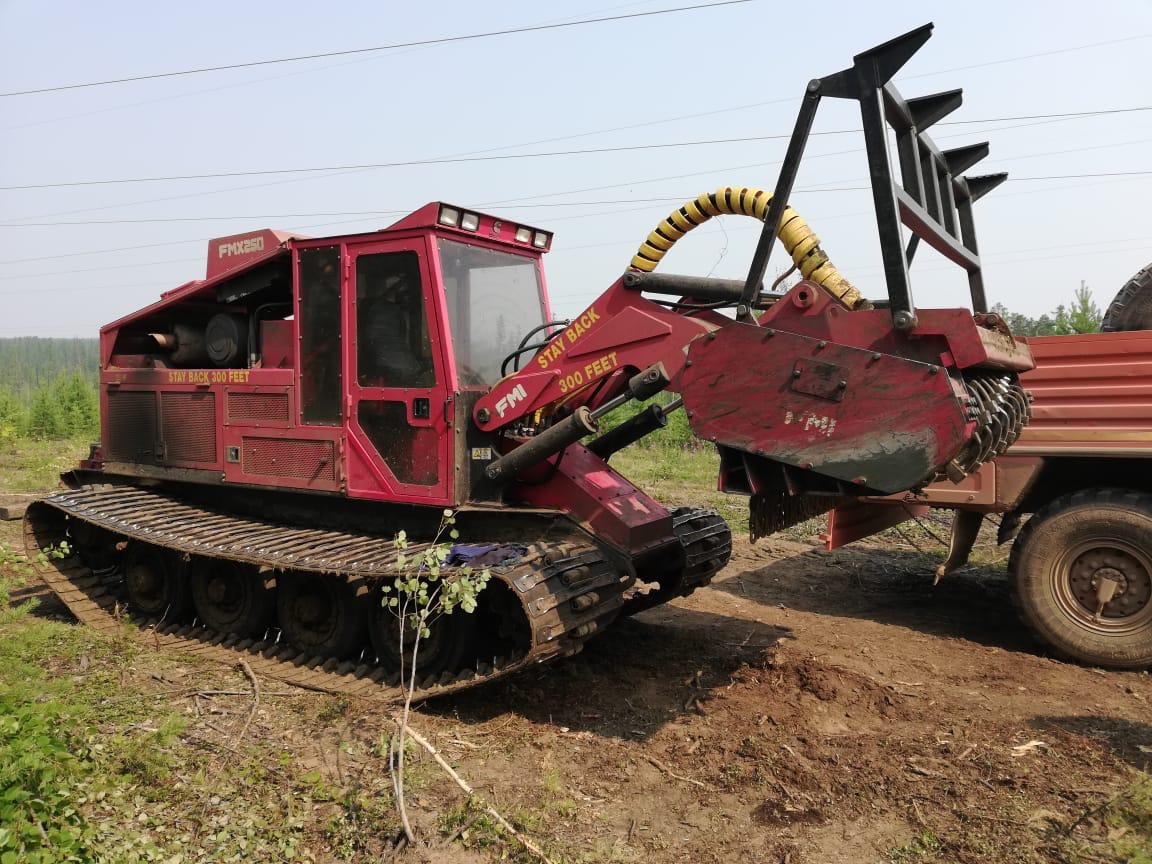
(808, 707)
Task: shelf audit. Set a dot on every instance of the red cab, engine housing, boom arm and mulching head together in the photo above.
(792, 400)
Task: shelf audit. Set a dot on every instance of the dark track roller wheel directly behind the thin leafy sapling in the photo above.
(449, 648)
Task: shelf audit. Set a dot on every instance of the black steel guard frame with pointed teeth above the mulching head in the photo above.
(931, 200)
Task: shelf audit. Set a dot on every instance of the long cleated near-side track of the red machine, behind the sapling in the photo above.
(545, 581)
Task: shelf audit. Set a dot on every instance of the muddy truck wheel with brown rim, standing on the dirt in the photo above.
(1058, 565)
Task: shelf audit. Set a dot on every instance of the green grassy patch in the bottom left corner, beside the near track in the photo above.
(95, 768)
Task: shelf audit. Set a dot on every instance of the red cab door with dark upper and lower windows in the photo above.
(398, 395)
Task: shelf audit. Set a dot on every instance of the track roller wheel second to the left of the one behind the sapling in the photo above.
(231, 597)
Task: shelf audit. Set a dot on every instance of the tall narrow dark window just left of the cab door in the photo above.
(320, 335)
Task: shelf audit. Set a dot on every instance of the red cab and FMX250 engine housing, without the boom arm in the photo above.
(251, 426)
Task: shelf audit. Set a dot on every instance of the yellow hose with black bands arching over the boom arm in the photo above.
(800, 241)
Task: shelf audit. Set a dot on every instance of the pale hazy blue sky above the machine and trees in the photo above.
(75, 257)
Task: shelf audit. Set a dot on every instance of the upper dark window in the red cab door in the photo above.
(392, 337)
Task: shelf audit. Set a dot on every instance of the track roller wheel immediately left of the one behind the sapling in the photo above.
(324, 616)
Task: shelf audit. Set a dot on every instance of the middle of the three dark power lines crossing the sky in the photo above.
(505, 157)
